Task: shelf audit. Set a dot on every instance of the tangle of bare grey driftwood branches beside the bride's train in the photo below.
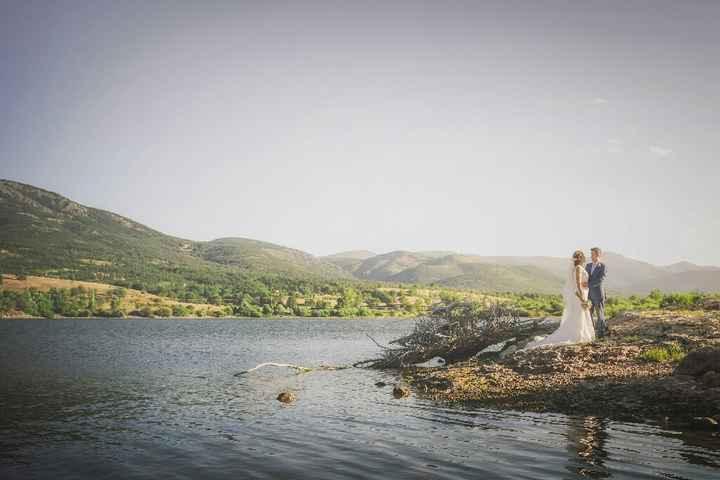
(455, 332)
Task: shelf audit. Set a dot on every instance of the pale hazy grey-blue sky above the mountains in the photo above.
(488, 127)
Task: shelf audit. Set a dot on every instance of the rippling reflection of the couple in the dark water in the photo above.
(586, 439)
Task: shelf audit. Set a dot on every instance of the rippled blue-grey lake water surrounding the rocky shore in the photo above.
(156, 398)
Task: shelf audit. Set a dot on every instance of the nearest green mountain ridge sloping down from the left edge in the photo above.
(43, 232)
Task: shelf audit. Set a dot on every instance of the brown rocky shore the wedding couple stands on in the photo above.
(658, 364)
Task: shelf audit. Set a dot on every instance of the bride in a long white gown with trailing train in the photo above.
(576, 324)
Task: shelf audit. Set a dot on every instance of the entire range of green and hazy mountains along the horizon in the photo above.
(44, 233)
